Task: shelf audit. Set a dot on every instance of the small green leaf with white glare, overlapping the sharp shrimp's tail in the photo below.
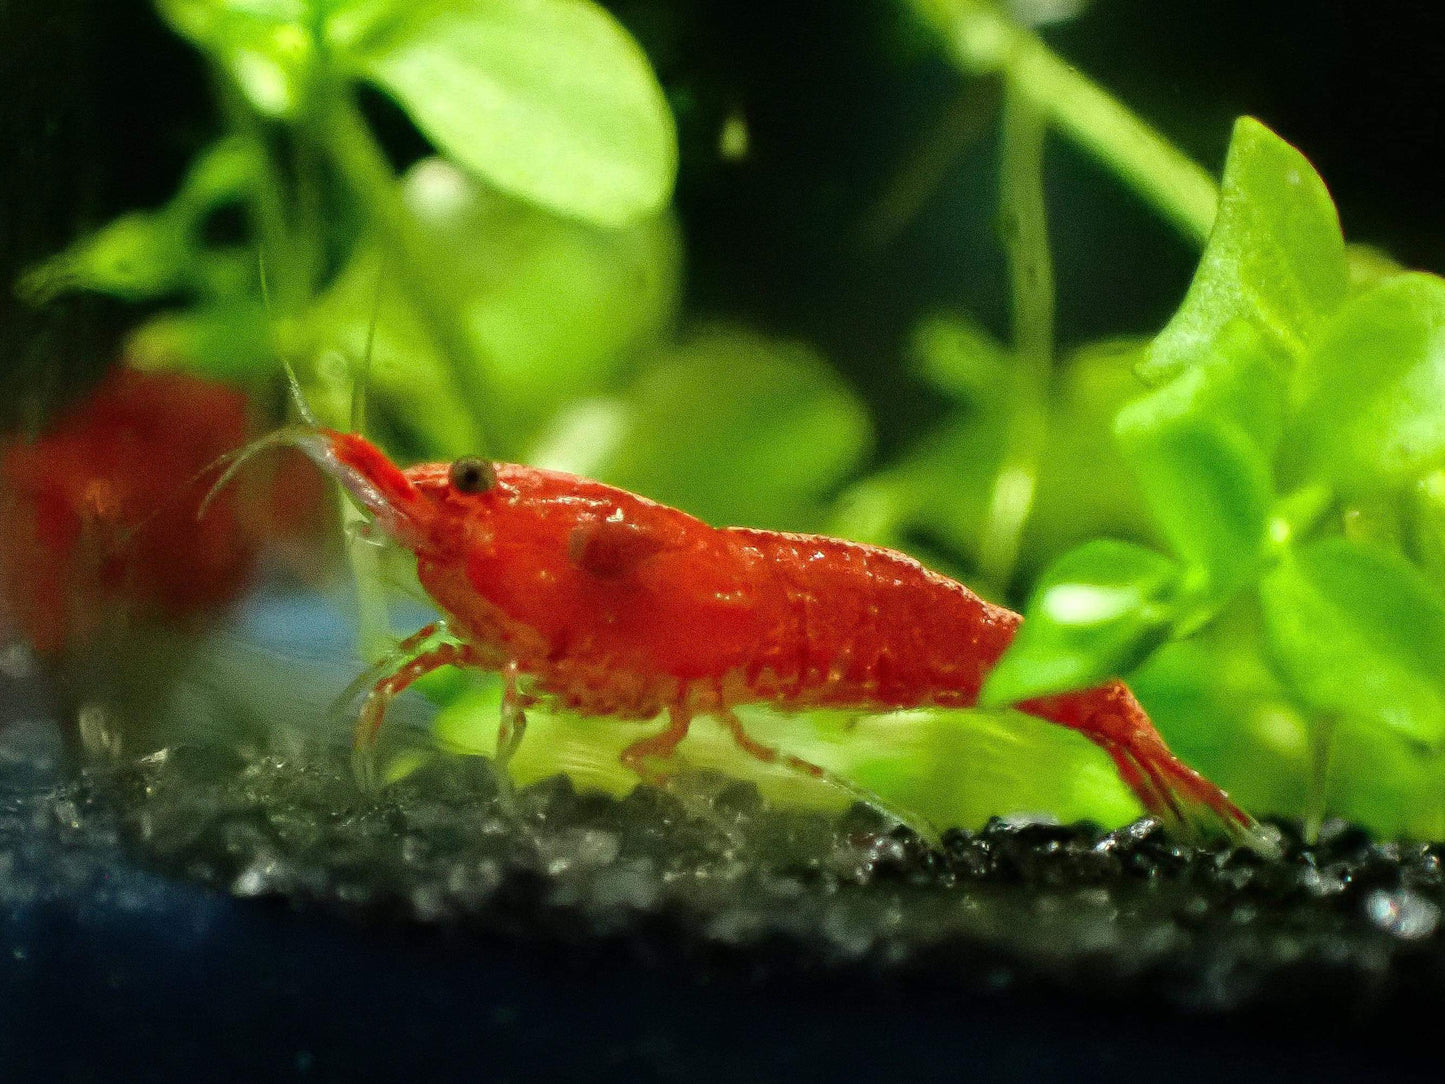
(1095, 615)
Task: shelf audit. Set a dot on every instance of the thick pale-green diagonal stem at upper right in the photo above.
(983, 40)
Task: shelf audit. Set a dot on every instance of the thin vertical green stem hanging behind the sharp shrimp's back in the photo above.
(1027, 239)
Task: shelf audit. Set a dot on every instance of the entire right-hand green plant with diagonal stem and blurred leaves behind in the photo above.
(1277, 447)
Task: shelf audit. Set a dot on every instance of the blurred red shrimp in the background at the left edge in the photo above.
(99, 515)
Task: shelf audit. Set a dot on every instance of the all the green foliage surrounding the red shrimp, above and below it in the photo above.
(1245, 517)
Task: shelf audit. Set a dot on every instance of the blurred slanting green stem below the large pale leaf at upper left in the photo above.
(366, 170)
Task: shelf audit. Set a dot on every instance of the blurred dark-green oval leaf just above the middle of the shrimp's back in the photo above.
(732, 427)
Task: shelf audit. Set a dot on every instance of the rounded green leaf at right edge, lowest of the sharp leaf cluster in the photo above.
(1360, 634)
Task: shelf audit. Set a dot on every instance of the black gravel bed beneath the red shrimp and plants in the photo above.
(712, 881)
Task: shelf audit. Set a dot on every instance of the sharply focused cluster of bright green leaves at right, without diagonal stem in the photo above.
(1285, 455)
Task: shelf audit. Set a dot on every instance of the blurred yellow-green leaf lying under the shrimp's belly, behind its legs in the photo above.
(908, 758)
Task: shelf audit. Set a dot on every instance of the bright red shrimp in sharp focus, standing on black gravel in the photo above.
(612, 605)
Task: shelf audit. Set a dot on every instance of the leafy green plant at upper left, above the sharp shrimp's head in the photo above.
(557, 165)
